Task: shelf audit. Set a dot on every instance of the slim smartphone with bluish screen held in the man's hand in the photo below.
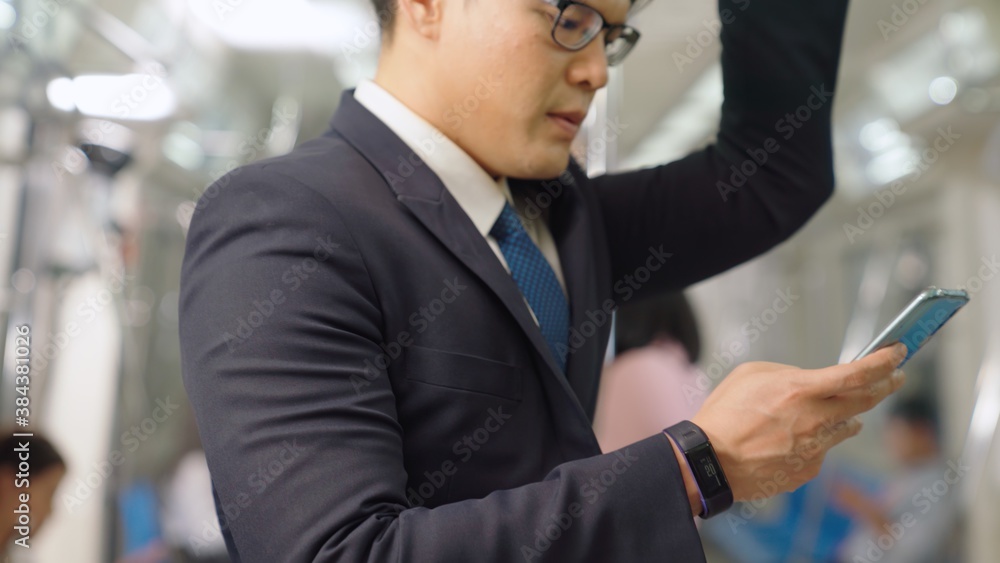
(923, 317)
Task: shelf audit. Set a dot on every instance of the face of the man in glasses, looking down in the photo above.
(502, 81)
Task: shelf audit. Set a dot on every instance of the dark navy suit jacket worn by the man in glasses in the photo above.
(368, 382)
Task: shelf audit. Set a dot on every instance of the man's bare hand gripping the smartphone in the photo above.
(771, 424)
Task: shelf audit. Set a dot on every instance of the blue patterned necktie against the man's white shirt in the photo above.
(536, 279)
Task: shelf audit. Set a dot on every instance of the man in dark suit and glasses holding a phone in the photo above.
(392, 337)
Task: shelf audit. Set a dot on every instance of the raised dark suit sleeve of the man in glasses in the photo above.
(771, 166)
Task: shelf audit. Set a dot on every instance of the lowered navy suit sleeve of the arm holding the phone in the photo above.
(278, 316)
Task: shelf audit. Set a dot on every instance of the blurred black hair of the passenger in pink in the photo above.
(670, 315)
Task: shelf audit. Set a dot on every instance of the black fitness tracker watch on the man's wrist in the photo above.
(713, 488)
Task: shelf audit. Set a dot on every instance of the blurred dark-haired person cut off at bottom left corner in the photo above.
(45, 469)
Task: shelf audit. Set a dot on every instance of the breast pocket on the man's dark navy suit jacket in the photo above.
(463, 372)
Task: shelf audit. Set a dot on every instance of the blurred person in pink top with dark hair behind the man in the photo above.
(651, 383)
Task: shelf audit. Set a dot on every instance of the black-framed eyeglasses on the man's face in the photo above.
(578, 24)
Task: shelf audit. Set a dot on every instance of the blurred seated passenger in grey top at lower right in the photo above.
(913, 519)
